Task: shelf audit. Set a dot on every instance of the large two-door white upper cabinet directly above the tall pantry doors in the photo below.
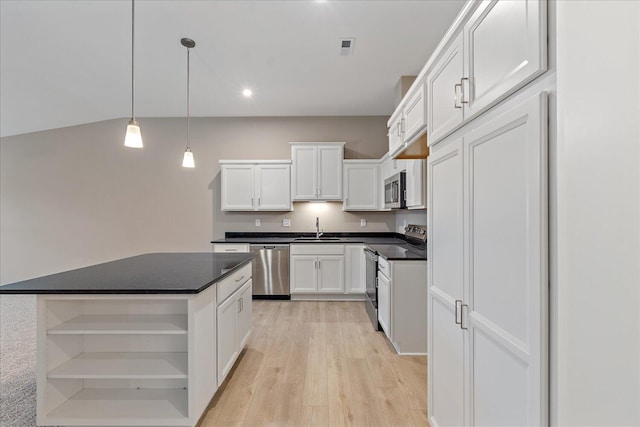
(500, 48)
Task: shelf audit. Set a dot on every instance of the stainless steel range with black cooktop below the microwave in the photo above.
(415, 237)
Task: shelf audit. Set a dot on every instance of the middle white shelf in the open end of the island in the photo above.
(123, 366)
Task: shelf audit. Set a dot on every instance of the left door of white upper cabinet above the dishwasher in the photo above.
(237, 183)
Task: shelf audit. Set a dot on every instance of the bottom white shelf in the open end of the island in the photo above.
(158, 407)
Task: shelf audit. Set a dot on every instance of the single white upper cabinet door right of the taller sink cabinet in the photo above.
(361, 186)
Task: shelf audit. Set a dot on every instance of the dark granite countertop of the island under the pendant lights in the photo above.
(158, 273)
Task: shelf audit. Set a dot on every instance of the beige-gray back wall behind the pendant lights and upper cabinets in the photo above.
(76, 196)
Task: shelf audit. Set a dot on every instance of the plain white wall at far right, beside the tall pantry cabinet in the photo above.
(598, 212)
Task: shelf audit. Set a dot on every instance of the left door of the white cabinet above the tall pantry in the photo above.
(444, 91)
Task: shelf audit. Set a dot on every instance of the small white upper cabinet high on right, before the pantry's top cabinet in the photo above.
(409, 120)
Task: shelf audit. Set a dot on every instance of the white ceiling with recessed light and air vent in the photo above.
(69, 62)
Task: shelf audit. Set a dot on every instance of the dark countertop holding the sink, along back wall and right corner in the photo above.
(391, 246)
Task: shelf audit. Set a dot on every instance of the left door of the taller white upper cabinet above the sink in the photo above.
(304, 172)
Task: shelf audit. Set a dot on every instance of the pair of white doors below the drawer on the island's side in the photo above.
(234, 327)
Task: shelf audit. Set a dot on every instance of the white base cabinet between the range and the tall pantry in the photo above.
(402, 304)
